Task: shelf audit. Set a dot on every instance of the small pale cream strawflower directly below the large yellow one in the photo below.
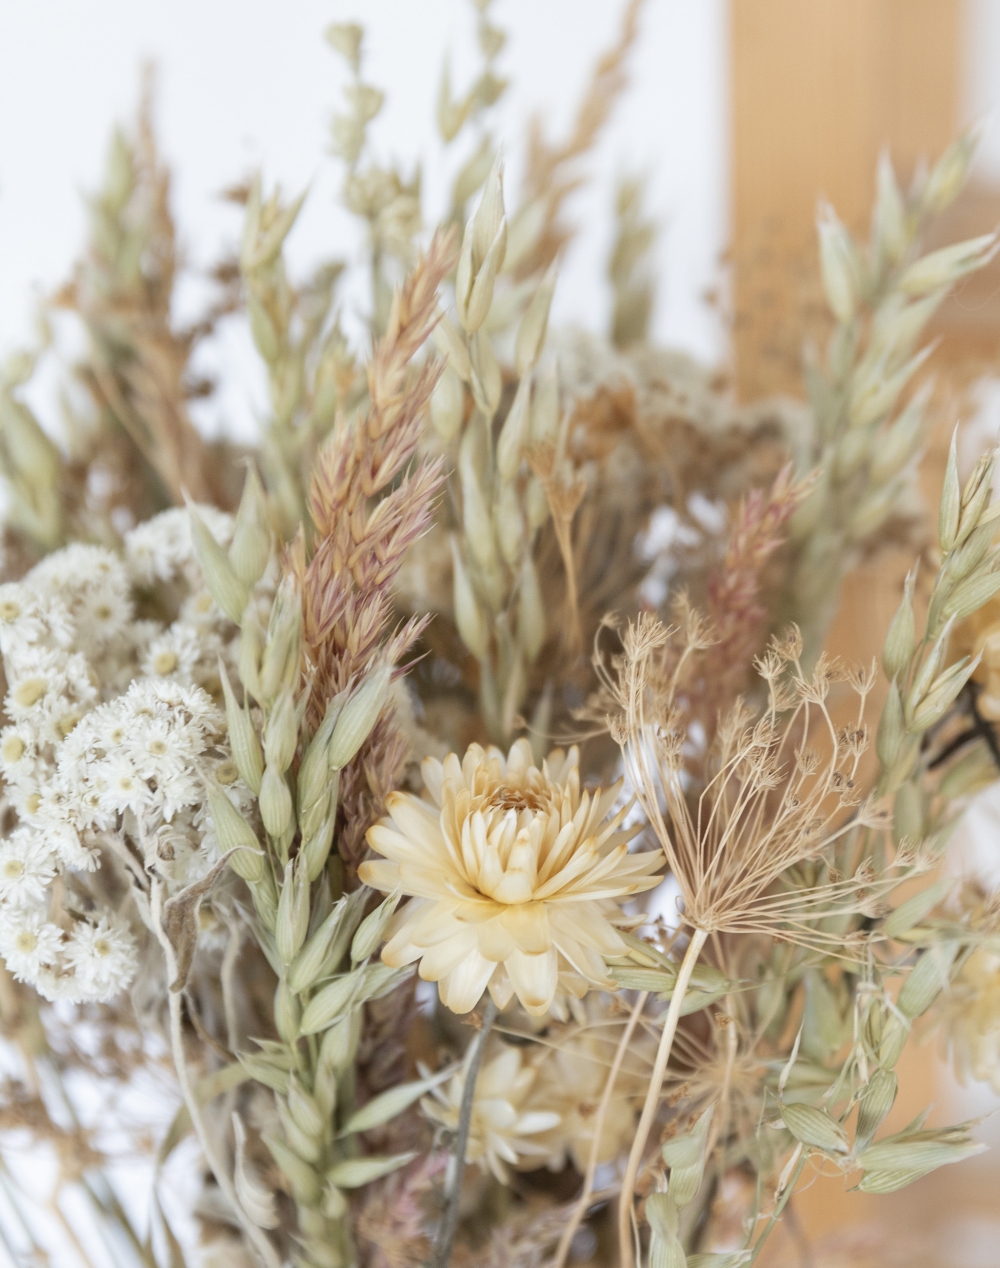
(501, 1129)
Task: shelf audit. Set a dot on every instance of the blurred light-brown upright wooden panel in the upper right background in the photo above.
(818, 89)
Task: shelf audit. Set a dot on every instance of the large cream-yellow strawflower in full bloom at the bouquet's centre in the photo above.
(514, 873)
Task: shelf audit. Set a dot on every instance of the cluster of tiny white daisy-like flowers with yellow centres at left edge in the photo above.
(110, 740)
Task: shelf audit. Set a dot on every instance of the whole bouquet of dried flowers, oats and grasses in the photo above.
(482, 881)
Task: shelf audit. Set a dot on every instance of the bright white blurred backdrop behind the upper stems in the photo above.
(253, 86)
